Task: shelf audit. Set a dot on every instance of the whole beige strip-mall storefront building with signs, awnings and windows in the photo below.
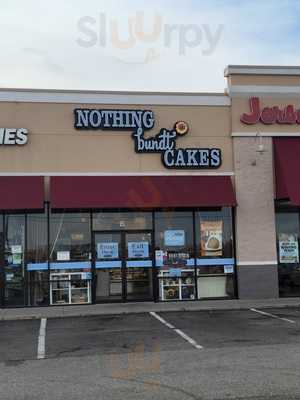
(151, 196)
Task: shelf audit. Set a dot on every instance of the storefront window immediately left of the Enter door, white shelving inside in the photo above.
(70, 256)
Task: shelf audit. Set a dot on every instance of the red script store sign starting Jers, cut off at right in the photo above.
(270, 115)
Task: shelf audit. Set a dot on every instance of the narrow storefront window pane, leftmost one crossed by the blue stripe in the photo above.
(37, 262)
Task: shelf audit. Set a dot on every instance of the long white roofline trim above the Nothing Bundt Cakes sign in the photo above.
(115, 98)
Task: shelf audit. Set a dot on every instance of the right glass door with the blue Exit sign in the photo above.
(138, 251)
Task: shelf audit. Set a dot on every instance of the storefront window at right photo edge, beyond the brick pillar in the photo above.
(287, 224)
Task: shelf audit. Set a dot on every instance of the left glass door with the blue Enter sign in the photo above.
(109, 273)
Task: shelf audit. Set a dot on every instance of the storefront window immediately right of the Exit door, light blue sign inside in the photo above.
(174, 254)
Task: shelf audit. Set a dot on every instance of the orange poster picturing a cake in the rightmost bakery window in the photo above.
(211, 242)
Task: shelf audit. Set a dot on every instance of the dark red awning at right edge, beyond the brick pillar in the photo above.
(287, 169)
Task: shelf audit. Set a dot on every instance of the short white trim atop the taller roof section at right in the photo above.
(261, 70)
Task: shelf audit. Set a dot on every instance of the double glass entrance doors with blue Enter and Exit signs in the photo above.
(123, 266)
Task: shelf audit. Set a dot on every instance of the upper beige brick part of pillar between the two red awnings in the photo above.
(255, 219)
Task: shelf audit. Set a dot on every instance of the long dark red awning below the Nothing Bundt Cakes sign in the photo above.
(141, 191)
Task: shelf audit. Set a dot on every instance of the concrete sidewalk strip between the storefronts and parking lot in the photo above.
(141, 307)
